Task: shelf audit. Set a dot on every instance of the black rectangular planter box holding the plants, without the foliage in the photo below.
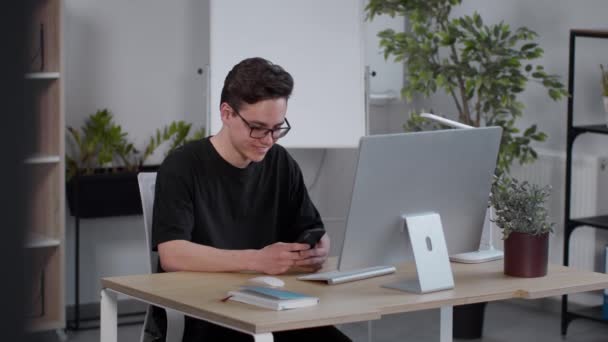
(105, 194)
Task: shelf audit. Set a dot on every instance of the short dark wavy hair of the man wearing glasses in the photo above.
(253, 80)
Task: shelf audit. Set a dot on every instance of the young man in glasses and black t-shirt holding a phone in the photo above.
(237, 201)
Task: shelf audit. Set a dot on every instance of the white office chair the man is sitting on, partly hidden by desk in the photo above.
(175, 320)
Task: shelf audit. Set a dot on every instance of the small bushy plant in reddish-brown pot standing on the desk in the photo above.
(523, 218)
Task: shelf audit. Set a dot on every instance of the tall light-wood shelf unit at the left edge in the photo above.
(45, 236)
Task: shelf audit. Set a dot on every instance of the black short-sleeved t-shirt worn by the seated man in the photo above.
(202, 198)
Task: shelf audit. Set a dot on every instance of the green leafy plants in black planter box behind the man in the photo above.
(101, 170)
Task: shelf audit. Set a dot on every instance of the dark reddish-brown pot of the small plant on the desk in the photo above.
(526, 255)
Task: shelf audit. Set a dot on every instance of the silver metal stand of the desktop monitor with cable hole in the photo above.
(433, 269)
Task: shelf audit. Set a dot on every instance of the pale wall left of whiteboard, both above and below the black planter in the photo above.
(139, 59)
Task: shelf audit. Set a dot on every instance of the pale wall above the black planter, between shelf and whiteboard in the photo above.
(139, 59)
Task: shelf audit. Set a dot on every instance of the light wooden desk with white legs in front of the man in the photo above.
(198, 295)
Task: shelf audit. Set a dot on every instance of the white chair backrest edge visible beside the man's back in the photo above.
(147, 182)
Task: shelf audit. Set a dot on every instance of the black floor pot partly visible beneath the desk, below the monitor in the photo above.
(468, 321)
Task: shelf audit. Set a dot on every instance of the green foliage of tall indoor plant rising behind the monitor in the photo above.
(482, 67)
